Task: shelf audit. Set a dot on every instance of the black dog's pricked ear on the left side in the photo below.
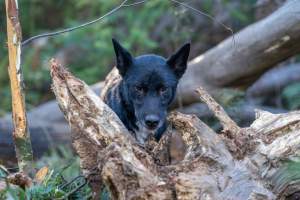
(124, 58)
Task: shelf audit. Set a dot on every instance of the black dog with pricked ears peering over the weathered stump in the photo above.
(147, 88)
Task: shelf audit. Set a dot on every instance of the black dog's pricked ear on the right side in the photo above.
(178, 61)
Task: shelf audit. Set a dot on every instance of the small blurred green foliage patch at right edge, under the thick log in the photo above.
(291, 96)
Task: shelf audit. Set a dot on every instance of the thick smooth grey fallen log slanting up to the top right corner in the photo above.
(241, 59)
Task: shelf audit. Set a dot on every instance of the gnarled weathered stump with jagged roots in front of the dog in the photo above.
(241, 163)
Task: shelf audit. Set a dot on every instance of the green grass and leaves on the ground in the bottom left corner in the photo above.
(63, 181)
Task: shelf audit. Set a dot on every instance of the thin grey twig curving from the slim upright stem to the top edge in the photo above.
(75, 27)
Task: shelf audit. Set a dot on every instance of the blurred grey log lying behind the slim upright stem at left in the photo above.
(47, 131)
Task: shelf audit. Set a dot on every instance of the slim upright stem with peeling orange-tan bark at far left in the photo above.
(20, 133)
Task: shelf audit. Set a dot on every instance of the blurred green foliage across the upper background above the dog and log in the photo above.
(155, 26)
